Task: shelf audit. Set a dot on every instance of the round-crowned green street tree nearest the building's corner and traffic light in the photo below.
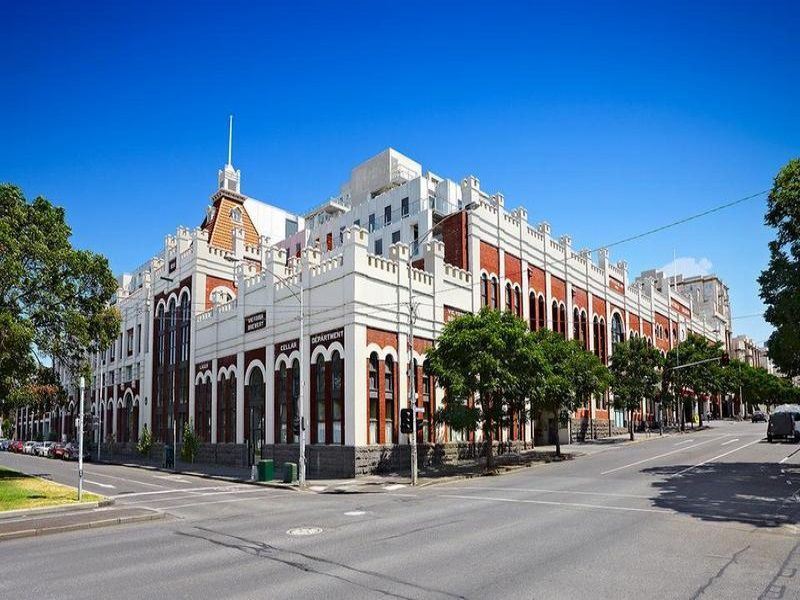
(485, 358)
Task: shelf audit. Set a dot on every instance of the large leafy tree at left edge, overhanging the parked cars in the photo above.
(53, 298)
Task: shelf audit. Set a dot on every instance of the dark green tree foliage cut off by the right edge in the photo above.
(780, 281)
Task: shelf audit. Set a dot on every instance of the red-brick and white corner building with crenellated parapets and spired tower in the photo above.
(211, 325)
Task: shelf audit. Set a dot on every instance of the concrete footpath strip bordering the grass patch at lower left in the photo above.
(72, 518)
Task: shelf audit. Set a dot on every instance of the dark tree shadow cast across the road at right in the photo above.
(760, 494)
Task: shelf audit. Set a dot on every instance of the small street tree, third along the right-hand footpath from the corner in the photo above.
(635, 375)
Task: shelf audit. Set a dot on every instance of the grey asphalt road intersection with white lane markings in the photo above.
(705, 515)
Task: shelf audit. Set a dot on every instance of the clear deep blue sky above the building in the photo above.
(605, 119)
